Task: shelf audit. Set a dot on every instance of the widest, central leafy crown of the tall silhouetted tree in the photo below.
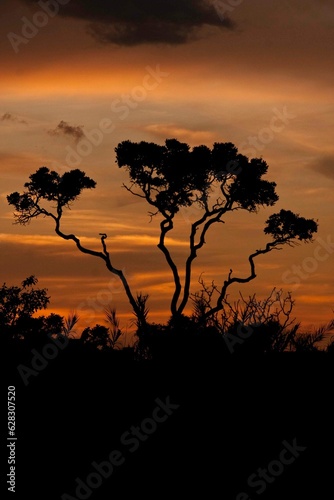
(173, 176)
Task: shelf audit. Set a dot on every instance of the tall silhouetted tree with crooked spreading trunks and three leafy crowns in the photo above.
(170, 177)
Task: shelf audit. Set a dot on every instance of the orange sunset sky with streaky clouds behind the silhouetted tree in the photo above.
(258, 73)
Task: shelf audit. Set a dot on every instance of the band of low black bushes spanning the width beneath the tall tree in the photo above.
(248, 326)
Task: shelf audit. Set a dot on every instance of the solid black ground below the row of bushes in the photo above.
(234, 414)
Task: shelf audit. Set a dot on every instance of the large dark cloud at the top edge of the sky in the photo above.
(135, 22)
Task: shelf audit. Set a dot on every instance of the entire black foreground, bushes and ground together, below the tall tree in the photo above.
(79, 392)
